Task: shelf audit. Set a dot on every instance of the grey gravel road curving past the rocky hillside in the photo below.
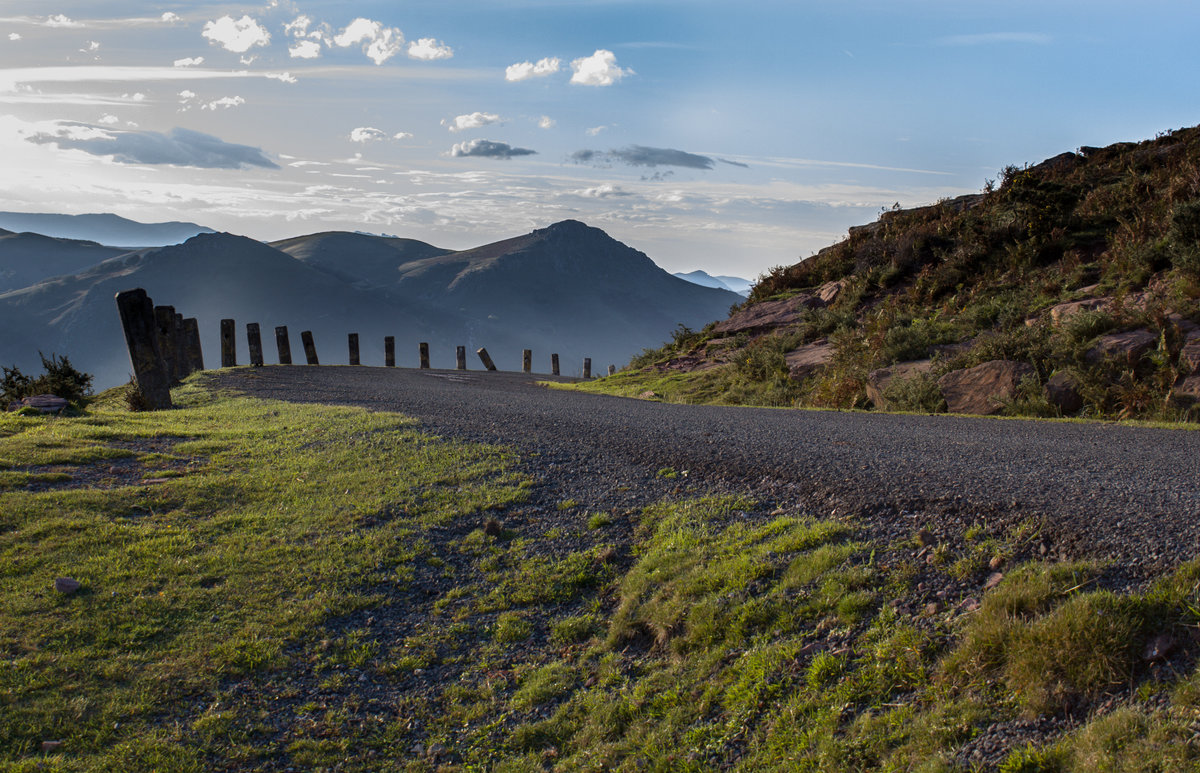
(1096, 490)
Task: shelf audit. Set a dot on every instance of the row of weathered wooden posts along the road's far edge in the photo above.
(165, 347)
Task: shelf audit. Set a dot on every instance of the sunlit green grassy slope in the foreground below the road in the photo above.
(235, 616)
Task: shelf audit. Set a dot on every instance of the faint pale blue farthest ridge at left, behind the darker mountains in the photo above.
(107, 229)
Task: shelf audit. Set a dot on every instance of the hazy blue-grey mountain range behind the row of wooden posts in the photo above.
(567, 289)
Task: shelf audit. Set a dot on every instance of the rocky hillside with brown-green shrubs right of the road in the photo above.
(1065, 289)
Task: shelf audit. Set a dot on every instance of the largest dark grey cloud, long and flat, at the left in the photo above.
(181, 147)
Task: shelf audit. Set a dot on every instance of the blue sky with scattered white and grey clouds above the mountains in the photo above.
(730, 137)
